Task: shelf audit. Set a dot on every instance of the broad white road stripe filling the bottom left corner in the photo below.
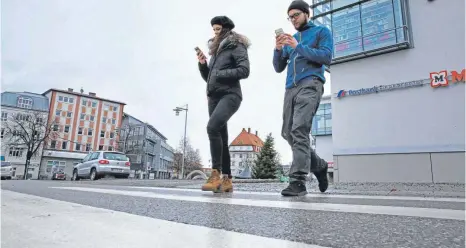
(43, 223)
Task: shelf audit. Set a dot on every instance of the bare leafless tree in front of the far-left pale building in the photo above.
(29, 130)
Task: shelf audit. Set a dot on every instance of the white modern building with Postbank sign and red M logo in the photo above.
(398, 92)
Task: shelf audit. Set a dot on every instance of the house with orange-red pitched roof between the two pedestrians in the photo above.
(243, 151)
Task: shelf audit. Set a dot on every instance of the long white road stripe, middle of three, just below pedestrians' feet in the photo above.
(365, 209)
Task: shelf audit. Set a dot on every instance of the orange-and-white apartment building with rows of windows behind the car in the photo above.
(84, 122)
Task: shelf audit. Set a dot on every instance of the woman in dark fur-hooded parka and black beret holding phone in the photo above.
(229, 63)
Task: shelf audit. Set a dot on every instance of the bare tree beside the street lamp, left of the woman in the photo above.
(192, 159)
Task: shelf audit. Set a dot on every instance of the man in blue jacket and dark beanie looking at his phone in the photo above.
(306, 54)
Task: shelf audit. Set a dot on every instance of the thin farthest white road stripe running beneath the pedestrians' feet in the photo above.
(367, 197)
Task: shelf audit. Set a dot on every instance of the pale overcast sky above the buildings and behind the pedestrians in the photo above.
(141, 52)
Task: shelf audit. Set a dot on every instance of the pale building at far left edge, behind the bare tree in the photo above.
(22, 105)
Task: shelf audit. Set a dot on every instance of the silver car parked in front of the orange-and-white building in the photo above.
(99, 164)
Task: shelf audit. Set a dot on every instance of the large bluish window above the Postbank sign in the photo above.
(361, 27)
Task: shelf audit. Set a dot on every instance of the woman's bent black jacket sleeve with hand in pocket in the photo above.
(240, 69)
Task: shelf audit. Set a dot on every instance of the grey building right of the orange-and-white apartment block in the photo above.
(146, 147)
